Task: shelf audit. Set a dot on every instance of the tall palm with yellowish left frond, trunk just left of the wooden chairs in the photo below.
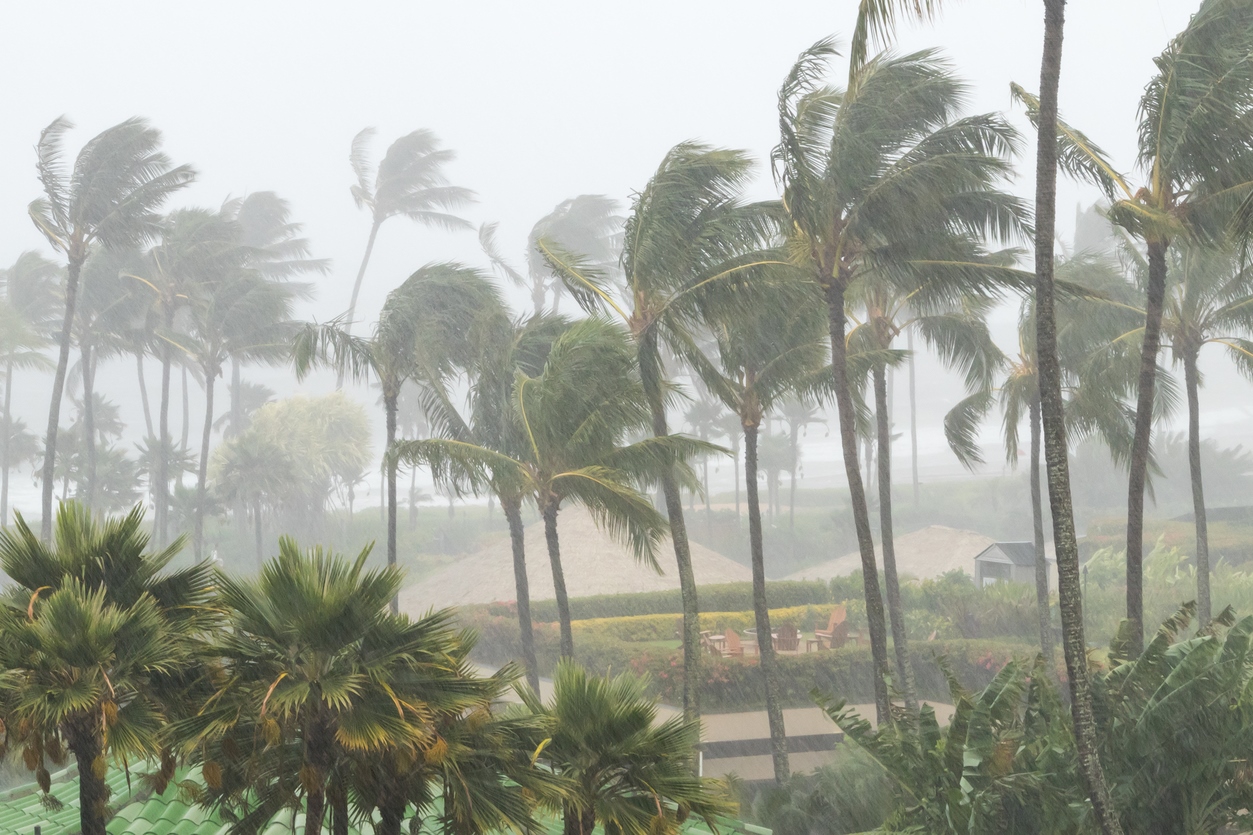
(690, 243)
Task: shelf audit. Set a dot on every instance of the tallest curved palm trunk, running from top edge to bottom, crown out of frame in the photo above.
(1054, 427)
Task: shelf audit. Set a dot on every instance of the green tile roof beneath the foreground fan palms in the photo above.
(141, 813)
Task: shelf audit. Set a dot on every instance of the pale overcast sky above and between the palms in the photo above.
(542, 101)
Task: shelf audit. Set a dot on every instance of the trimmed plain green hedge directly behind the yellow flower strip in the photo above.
(730, 597)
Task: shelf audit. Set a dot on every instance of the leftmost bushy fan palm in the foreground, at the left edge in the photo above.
(100, 641)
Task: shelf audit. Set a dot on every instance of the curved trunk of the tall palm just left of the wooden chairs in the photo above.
(651, 377)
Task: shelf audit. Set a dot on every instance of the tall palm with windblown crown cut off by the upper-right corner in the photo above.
(1196, 151)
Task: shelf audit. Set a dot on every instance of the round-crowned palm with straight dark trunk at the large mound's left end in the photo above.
(437, 320)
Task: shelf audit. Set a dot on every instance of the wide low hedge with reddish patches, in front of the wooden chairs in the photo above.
(731, 685)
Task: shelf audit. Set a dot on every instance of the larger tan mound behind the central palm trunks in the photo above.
(592, 561)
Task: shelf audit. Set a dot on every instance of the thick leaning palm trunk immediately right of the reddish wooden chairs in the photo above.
(875, 620)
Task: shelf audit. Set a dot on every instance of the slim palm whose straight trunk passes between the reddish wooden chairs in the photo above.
(761, 360)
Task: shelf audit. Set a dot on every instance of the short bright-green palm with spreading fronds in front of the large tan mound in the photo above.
(575, 418)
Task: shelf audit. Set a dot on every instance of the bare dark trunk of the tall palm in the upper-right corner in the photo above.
(1141, 444)
